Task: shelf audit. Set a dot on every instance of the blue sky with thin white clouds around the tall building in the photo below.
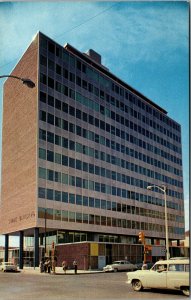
(146, 44)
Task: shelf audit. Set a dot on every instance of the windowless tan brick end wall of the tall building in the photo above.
(19, 147)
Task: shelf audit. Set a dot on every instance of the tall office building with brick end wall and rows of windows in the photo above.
(78, 154)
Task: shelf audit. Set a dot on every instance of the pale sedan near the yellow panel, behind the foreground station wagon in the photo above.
(120, 265)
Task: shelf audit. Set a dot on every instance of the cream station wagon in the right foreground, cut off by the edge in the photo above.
(170, 274)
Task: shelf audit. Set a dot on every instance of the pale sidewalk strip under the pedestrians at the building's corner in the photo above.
(59, 271)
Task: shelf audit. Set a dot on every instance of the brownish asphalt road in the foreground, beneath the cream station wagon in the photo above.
(31, 286)
